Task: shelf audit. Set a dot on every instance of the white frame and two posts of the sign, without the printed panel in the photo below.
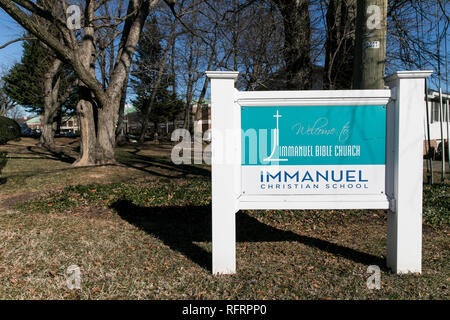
(404, 141)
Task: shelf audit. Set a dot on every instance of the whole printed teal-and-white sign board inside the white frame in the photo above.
(313, 149)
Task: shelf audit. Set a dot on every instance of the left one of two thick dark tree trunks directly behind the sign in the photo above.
(297, 43)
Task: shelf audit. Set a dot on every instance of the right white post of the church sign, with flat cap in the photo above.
(405, 171)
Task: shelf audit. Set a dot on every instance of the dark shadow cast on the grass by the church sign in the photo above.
(179, 227)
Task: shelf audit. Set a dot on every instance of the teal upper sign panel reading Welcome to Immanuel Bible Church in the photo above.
(313, 135)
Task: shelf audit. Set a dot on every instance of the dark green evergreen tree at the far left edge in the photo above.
(43, 85)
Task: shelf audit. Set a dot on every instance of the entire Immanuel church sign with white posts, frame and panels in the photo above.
(346, 149)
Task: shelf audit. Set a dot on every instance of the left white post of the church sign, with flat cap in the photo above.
(225, 164)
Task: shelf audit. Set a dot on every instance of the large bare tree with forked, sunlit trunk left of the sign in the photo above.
(98, 106)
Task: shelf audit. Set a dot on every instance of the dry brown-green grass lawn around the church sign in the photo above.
(142, 230)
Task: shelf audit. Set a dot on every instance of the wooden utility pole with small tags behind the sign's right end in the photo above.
(370, 47)
